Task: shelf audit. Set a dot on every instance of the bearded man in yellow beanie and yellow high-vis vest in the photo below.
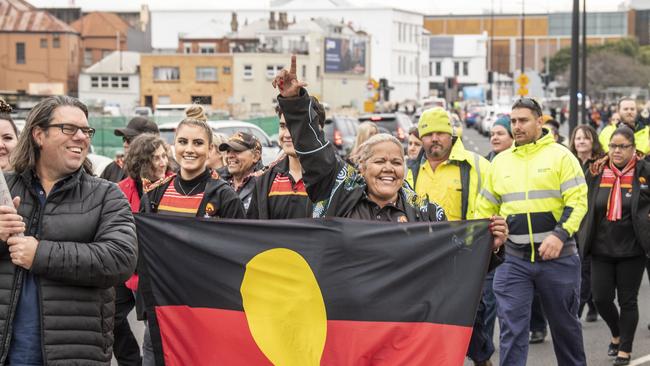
(448, 174)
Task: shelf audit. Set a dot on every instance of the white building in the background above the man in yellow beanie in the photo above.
(459, 60)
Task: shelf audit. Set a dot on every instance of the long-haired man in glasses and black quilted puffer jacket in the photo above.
(79, 241)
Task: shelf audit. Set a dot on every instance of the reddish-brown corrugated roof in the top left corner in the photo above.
(20, 16)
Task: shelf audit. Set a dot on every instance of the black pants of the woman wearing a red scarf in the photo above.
(621, 277)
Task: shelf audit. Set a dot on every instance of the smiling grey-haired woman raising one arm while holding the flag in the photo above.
(376, 191)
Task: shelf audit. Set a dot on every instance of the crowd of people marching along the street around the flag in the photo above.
(570, 224)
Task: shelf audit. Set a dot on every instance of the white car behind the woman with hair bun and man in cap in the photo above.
(270, 148)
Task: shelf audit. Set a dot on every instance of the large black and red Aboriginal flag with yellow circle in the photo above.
(311, 292)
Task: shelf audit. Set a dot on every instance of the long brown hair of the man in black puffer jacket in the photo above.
(27, 152)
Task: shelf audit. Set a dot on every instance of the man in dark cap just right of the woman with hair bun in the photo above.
(243, 159)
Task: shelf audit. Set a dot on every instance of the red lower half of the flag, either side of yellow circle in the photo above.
(204, 336)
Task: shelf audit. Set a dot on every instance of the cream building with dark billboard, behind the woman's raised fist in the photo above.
(254, 72)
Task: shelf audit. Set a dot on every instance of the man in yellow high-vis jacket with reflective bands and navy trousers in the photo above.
(539, 187)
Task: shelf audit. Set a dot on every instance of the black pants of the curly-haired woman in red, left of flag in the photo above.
(125, 348)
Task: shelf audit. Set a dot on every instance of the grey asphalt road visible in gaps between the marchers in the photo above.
(596, 335)
